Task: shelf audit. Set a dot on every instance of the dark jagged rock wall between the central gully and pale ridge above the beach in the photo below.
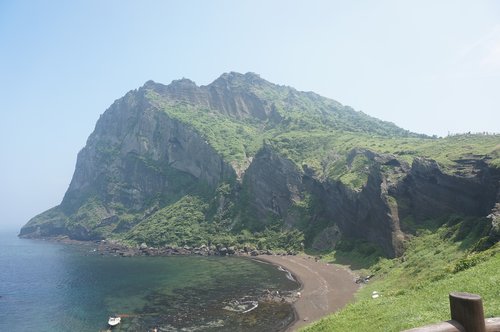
(275, 185)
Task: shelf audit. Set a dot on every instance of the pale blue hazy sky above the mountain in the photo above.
(429, 66)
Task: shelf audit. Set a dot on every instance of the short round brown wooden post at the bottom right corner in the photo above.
(467, 309)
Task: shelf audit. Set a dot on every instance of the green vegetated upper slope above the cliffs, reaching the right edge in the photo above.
(320, 133)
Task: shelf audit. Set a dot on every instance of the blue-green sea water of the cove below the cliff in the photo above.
(46, 286)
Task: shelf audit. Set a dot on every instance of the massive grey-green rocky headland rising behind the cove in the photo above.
(160, 143)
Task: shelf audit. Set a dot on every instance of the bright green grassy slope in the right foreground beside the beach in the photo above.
(414, 288)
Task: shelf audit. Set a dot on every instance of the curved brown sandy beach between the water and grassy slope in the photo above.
(326, 288)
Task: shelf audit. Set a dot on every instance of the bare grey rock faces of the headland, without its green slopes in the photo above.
(139, 157)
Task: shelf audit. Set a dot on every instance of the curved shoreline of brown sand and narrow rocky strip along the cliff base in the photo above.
(324, 288)
